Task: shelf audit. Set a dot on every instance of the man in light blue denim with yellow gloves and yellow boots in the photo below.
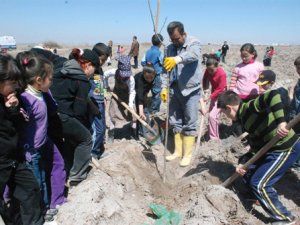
(183, 63)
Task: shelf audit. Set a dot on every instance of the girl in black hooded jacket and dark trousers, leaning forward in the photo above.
(70, 90)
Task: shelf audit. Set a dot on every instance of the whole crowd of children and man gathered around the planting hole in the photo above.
(53, 125)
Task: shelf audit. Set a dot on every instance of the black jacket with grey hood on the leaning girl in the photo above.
(70, 89)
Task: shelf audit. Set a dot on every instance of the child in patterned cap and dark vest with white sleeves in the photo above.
(125, 89)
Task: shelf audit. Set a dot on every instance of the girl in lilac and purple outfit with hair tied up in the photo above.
(42, 156)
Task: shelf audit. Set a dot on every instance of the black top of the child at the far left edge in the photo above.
(9, 151)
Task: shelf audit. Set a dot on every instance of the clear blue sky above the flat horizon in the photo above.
(91, 21)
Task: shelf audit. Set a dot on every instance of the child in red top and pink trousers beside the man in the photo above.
(216, 76)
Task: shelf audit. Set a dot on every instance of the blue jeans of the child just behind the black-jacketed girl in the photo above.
(98, 127)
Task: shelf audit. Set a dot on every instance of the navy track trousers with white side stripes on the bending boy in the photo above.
(264, 174)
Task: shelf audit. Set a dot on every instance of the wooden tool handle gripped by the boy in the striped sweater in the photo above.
(262, 151)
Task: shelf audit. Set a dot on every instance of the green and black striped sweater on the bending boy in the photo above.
(260, 117)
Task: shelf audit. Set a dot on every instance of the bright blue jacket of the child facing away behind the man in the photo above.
(155, 56)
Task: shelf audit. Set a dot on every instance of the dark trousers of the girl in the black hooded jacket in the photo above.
(77, 159)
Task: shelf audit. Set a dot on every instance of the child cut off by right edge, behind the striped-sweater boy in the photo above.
(295, 107)
